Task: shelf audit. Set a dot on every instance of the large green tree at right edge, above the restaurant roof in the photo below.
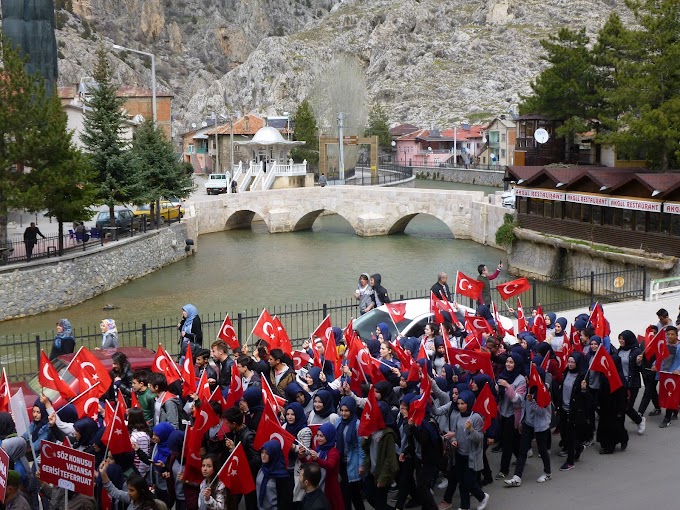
(644, 65)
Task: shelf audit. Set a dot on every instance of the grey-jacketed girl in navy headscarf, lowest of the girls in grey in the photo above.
(467, 437)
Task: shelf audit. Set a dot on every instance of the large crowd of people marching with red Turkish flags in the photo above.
(405, 463)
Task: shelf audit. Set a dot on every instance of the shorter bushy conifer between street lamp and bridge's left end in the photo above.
(156, 164)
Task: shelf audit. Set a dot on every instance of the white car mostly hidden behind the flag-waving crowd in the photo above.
(416, 317)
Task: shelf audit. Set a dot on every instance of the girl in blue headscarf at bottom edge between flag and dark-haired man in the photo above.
(273, 484)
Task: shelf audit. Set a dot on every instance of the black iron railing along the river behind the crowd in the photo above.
(19, 353)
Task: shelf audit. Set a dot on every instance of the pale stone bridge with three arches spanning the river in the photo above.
(371, 211)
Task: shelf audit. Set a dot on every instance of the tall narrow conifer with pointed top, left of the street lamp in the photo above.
(103, 139)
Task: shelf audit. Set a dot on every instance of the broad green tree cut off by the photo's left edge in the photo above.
(32, 136)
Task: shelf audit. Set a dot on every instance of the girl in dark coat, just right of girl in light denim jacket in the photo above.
(380, 461)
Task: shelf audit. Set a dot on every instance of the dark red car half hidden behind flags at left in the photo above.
(139, 358)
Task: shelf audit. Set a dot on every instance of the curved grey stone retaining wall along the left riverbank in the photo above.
(51, 284)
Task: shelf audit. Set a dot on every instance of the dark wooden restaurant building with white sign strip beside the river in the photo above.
(627, 207)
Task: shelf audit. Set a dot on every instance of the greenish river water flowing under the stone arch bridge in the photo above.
(246, 269)
